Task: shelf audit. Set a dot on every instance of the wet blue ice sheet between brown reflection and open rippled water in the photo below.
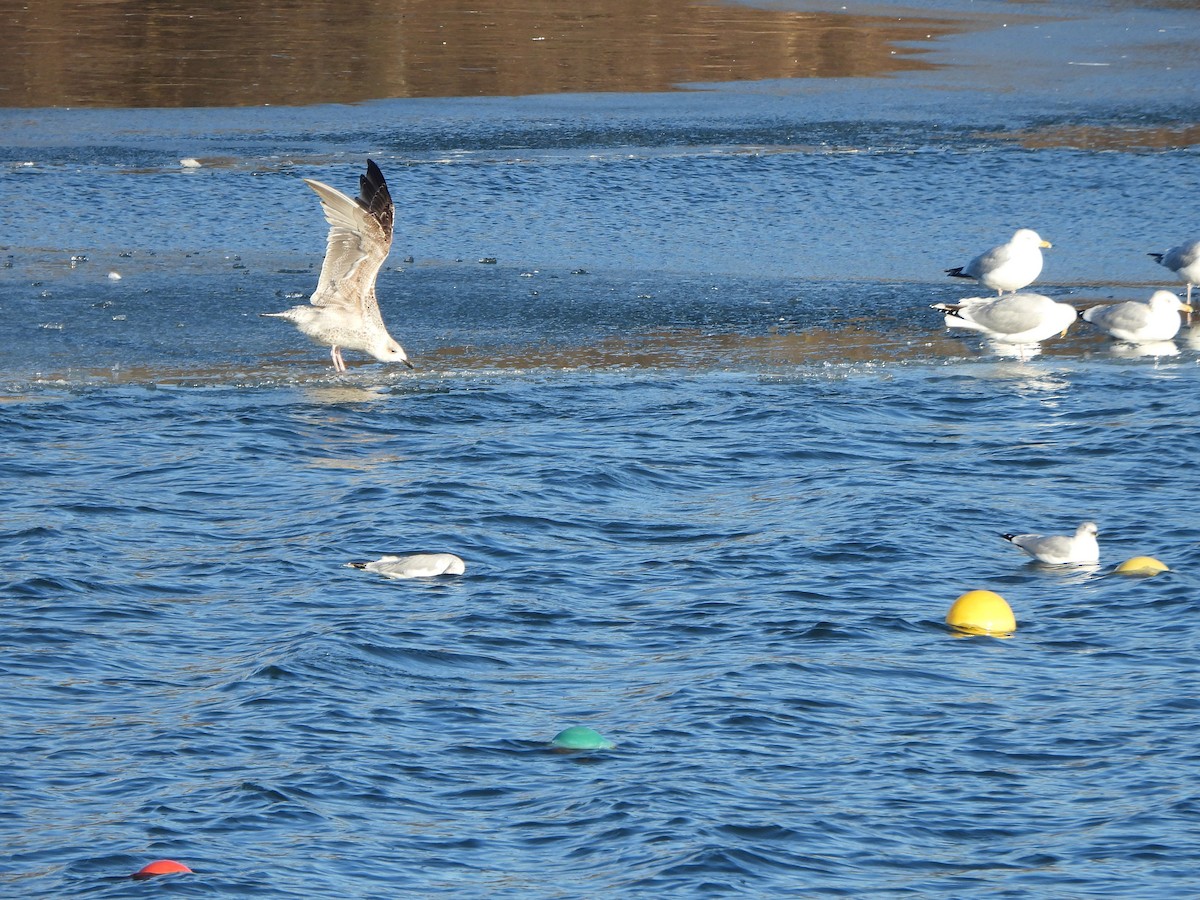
(571, 221)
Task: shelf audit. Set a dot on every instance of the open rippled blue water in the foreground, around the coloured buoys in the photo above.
(739, 578)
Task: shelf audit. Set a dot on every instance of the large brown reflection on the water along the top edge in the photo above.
(123, 53)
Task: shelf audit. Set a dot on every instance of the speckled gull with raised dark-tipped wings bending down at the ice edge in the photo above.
(344, 311)
